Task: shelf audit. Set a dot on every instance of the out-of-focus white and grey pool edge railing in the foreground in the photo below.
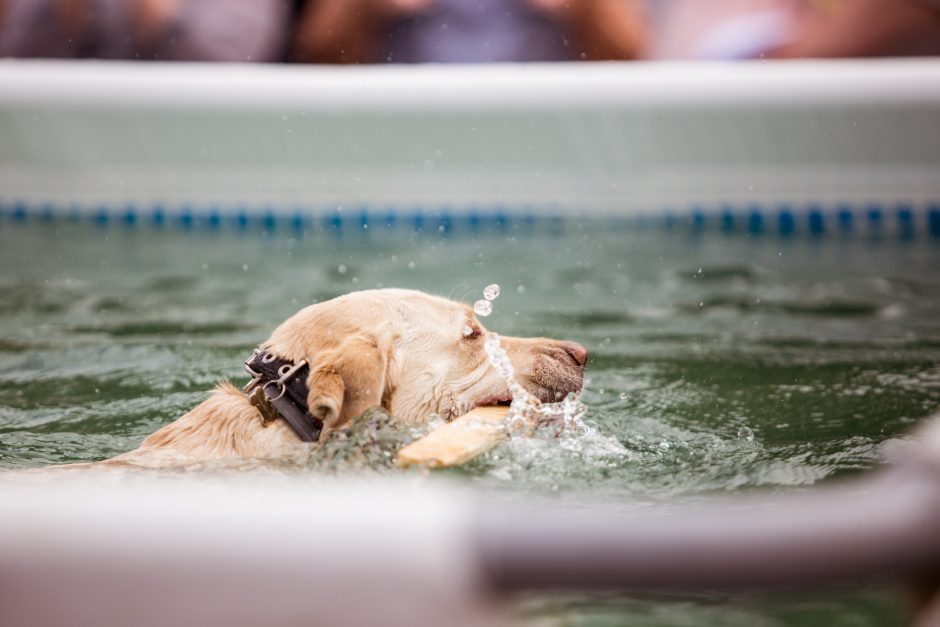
(88, 548)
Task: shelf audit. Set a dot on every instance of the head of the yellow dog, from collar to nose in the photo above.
(415, 355)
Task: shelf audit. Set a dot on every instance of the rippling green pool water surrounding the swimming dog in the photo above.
(717, 364)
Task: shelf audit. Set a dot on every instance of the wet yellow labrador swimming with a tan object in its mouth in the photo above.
(413, 354)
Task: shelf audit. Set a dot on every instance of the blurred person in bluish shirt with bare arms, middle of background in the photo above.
(449, 31)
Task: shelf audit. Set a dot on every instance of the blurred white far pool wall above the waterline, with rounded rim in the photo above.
(622, 139)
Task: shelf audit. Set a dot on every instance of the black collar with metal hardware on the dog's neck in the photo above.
(278, 388)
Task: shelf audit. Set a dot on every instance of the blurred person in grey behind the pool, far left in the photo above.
(194, 30)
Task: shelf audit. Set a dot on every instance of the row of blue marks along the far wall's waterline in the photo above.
(903, 220)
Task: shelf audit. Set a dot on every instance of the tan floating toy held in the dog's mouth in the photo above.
(458, 441)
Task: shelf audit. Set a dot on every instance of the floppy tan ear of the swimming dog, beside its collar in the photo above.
(347, 381)
